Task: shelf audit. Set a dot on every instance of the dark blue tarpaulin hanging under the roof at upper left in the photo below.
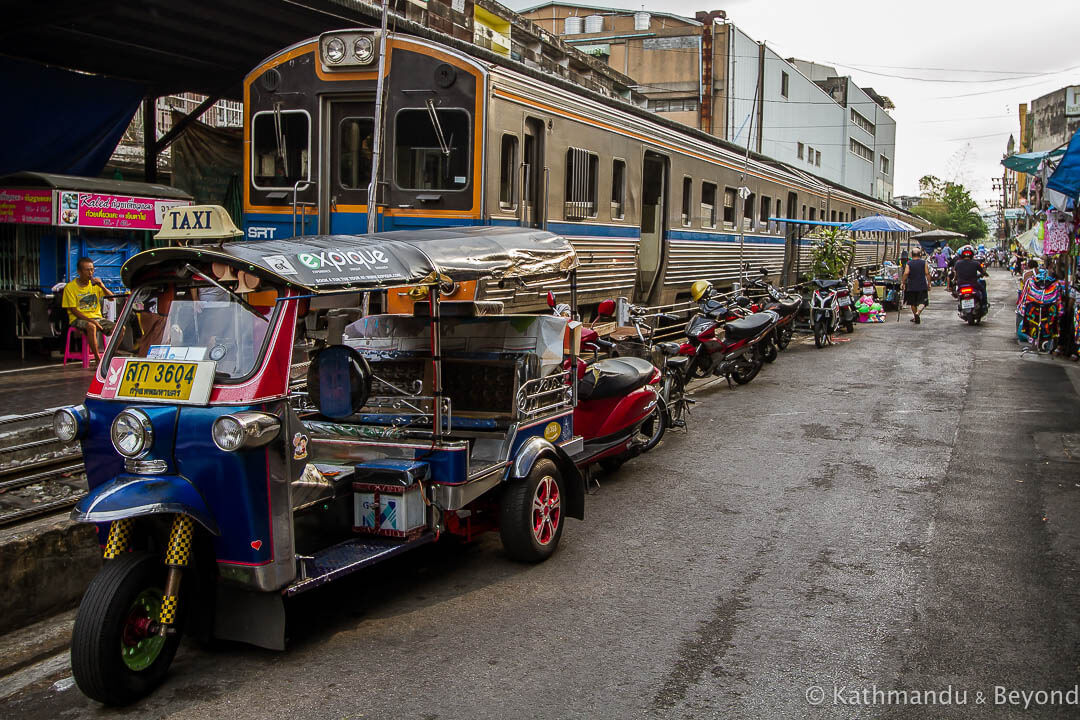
(61, 121)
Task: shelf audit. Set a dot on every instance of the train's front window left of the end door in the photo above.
(281, 143)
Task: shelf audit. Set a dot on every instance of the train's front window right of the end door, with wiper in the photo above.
(431, 150)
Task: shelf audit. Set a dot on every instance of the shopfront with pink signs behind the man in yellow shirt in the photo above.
(48, 223)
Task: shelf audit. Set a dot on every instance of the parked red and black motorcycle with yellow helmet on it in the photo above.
(739, 355)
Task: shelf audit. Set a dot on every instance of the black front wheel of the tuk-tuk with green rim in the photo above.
(117, 657)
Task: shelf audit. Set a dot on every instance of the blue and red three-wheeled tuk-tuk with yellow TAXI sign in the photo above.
(275, 431)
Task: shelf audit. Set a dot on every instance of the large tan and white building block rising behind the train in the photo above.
(708, 74)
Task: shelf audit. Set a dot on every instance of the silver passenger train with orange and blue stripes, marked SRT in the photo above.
(471, 138)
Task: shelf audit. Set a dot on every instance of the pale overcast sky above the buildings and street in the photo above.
(957, 131)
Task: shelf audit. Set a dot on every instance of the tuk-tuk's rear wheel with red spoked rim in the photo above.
(531, 514)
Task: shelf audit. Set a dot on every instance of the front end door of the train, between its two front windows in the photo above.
(346, 171)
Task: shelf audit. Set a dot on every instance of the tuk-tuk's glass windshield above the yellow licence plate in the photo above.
(194, 320)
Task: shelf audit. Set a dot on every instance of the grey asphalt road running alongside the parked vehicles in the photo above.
(897, 512)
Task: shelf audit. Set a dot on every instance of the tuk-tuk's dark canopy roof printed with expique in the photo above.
(402, 257)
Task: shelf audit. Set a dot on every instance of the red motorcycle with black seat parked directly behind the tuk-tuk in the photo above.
(617, 413)
